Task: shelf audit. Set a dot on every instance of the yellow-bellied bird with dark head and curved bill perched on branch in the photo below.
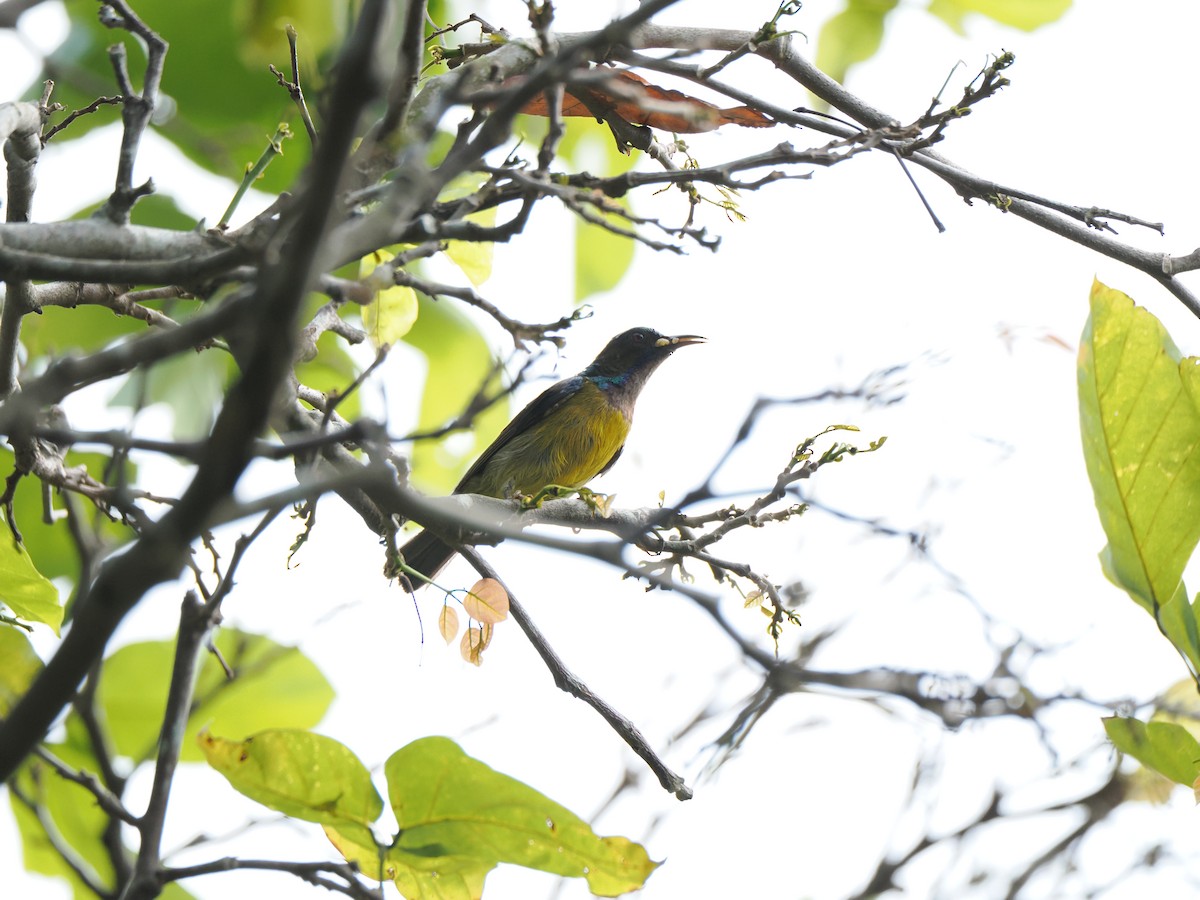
(573, 433)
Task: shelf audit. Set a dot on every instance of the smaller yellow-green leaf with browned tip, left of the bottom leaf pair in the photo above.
(301, 775)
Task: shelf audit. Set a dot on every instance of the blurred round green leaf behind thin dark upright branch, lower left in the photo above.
(274, 687)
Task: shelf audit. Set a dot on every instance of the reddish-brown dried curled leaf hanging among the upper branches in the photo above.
(627, 95)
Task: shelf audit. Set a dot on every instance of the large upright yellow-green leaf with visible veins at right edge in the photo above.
(1142, 436)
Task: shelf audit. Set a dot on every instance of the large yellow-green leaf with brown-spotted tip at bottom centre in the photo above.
(459, 819)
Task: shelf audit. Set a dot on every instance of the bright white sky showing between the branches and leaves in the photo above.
(829, 280)
